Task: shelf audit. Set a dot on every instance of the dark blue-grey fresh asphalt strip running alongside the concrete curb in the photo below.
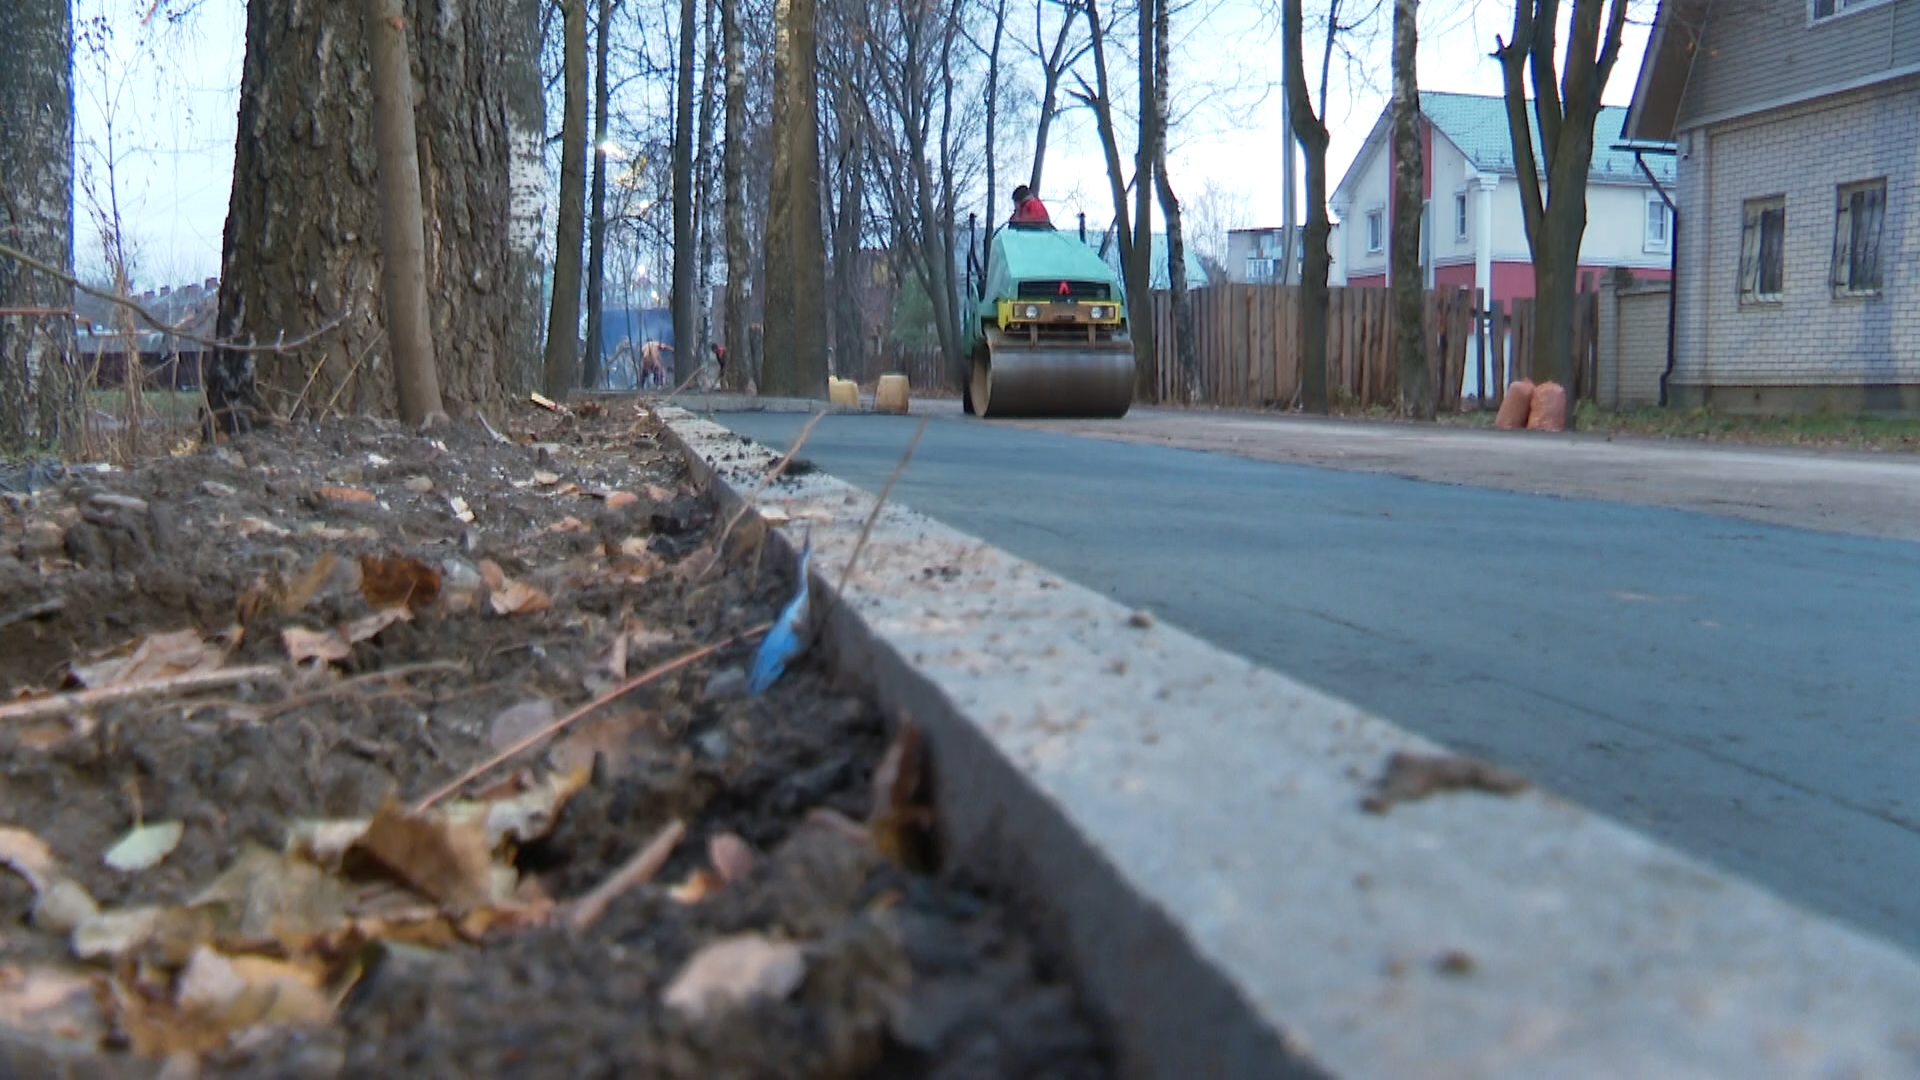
(1746, 693)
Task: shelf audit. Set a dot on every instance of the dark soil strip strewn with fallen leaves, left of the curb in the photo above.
(402, 606)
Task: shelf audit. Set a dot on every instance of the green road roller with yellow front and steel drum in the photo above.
(1047, 335)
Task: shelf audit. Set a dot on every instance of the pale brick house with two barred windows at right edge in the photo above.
(1798, 139)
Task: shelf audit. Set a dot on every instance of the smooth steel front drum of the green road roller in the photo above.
(1053, 381)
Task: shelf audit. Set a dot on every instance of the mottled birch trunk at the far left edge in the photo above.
(37, 218)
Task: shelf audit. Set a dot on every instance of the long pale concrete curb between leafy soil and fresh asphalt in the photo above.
(1237, 918)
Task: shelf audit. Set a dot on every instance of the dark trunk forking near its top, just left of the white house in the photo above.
(1310, 132)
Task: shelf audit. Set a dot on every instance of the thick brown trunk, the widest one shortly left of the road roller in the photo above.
(796, 251)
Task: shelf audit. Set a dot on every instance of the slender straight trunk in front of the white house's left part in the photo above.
(1410, 212)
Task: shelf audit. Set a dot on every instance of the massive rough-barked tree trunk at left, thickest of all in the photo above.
(300, 249)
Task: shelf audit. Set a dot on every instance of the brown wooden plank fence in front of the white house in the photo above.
(1249, 347)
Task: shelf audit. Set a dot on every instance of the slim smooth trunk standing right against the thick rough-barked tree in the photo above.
(402, 233)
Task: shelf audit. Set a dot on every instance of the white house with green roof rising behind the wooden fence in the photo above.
(1476, 235)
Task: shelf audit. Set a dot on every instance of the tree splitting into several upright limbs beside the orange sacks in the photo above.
(1566, 110)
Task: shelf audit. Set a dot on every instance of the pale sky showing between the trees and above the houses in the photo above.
(174, 126)
